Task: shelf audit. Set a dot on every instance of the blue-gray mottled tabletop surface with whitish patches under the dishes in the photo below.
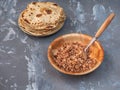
(23, 59)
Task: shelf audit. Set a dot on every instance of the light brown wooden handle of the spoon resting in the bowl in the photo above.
(104, 25)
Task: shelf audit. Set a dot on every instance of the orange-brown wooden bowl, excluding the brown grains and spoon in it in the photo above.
(96, 49)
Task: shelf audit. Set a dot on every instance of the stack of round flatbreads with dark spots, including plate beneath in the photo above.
(41, 18)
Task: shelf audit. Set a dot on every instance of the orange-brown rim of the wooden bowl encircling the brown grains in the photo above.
(70, 73)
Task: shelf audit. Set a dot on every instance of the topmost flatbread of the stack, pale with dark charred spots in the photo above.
(43, 15)
